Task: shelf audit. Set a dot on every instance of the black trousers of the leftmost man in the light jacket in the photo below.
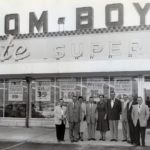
(60, 131)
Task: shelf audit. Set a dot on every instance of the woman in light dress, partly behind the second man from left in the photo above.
(82, 123)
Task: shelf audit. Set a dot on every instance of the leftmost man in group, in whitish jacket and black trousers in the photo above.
(60, 120)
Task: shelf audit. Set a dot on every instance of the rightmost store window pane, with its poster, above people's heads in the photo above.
(124, 85)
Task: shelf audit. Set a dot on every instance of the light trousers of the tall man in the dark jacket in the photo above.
(113, 125)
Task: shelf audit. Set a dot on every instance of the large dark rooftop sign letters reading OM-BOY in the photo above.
(84, 18)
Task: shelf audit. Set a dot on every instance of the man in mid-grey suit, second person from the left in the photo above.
(74, 115)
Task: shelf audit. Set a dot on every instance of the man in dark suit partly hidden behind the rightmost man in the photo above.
(129, 118)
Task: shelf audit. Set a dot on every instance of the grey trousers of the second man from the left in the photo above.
(73, 130)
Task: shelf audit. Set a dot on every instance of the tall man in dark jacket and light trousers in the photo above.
(114, 110)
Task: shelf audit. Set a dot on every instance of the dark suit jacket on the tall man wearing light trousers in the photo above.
(114, 113)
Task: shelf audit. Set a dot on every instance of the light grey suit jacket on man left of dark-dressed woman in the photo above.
(91, 114)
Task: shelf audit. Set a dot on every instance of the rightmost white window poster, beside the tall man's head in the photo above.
(122, 85)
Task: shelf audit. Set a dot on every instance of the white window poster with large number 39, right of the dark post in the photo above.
(42, 90)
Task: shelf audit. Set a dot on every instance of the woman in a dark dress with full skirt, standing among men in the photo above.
(102, 123)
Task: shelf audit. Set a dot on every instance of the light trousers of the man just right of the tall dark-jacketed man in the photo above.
(125, 130)
